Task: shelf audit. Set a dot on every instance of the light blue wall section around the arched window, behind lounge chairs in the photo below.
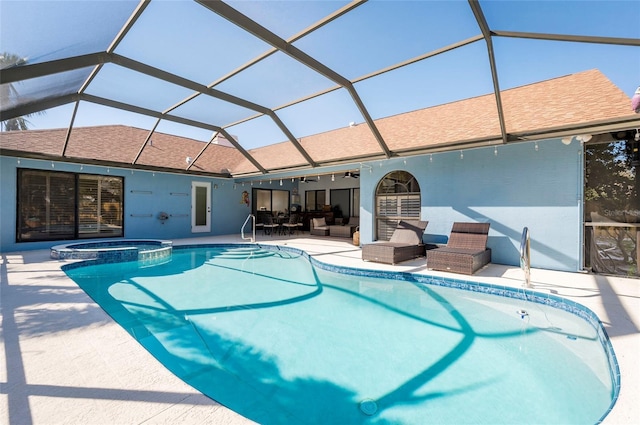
(517, 187)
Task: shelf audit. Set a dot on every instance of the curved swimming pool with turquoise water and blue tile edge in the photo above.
(282, 338)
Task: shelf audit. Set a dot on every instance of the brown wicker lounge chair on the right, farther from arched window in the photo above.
(466, 251)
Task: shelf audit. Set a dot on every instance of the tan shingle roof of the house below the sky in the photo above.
(571, 102)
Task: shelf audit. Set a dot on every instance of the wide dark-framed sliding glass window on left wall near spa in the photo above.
(57, 205)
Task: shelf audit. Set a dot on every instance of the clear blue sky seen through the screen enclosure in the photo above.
(188, 40)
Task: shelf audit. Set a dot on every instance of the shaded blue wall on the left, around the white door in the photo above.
(170, 193)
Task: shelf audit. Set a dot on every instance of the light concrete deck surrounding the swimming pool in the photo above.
(65, 361)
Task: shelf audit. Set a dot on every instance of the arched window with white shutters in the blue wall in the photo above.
(397, 198)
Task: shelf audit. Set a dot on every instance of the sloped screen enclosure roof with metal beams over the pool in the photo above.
(284, 81)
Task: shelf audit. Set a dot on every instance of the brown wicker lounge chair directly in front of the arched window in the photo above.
(405, 244)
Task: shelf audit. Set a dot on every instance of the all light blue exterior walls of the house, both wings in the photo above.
(517, 187)
